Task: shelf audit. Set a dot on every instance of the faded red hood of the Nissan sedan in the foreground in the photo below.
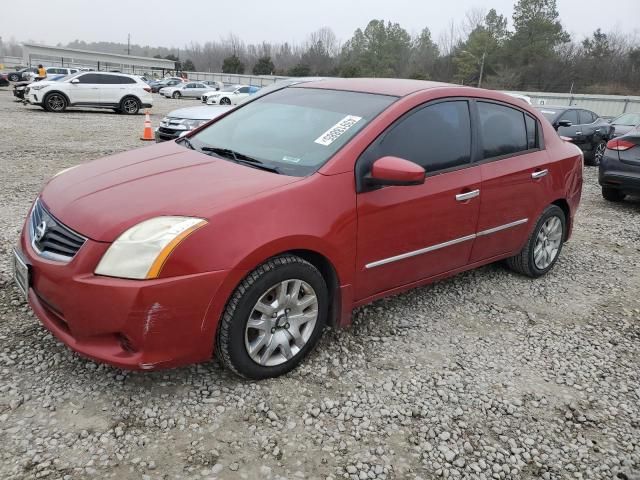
(103, 198)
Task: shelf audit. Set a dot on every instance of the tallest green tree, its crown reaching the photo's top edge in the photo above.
(537, 32)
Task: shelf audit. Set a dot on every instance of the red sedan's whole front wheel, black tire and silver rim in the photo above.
(271, 286)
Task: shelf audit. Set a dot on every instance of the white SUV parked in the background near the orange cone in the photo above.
(118, 91)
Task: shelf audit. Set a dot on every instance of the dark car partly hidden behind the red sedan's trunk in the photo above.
(582, 127)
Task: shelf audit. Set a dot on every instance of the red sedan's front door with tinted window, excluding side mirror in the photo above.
(406, 234)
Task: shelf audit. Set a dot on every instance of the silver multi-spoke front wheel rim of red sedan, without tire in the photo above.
(281, 322)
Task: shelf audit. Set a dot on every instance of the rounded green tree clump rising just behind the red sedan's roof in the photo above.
(379, 51)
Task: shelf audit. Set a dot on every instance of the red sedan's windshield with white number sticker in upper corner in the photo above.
(295, 130)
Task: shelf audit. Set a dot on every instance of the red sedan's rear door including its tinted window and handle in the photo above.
(515, 178)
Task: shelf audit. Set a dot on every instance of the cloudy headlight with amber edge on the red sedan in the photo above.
(140, 252)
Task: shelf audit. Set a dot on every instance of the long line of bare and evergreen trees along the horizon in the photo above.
(534, 54)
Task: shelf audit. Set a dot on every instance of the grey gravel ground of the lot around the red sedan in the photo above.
(485, 375)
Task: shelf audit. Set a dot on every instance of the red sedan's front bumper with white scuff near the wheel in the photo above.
(130, 324)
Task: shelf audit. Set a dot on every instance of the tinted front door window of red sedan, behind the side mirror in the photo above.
(436, 137)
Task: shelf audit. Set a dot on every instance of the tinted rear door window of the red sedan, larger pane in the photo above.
(502, 130)
